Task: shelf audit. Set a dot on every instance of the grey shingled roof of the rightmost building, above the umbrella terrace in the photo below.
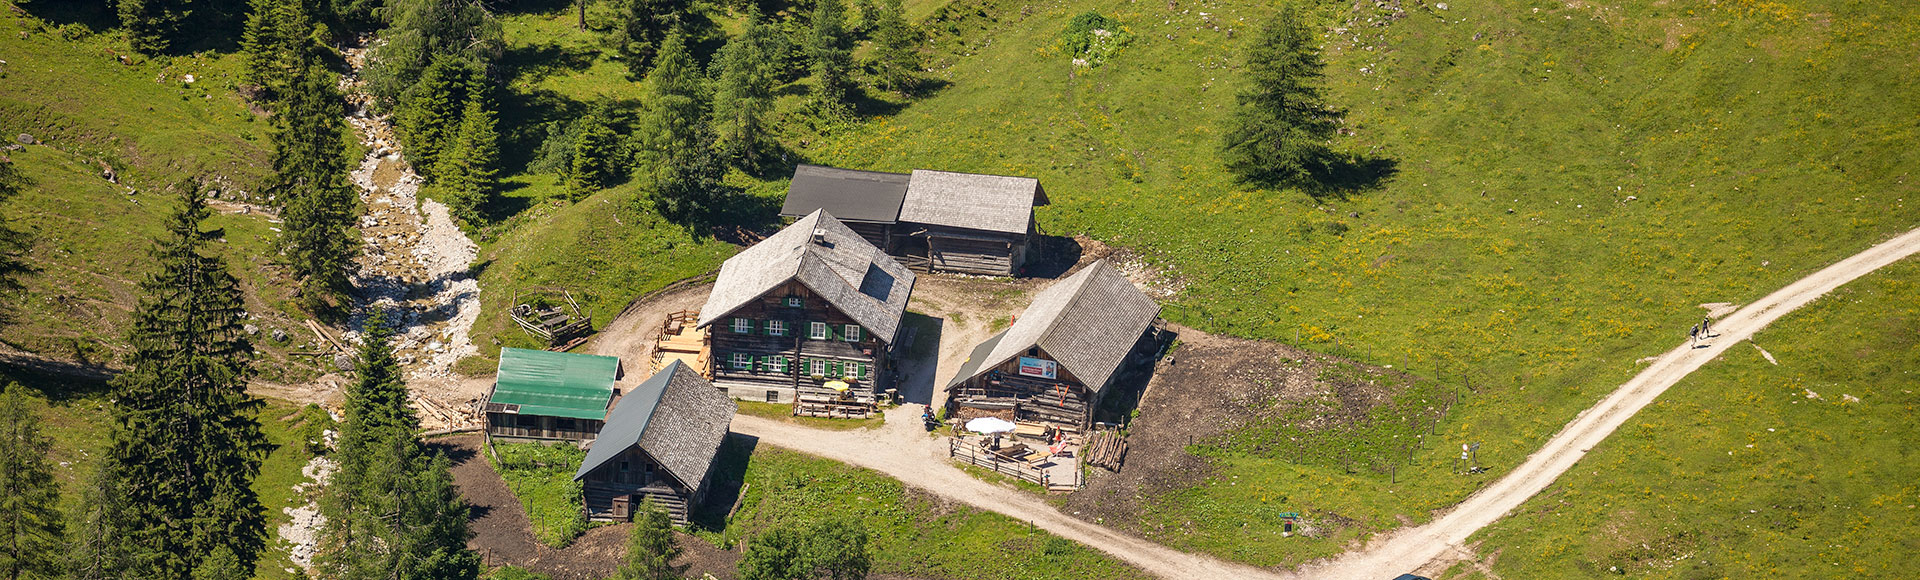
(1088, 324)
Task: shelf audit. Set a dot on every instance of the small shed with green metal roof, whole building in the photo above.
(550, 397)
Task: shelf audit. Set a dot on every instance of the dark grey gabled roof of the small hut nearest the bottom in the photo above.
(675, 416)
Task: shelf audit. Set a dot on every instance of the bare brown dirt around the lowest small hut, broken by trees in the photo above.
(506, 537)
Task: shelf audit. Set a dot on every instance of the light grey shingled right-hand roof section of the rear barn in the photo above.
(969, 201)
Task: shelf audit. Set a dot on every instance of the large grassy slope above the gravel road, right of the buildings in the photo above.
(1758, 141)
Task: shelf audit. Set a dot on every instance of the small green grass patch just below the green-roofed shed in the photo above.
(542, 477)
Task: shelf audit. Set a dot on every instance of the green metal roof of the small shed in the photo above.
(556, 385)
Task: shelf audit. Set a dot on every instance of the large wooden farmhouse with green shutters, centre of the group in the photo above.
(807, 318)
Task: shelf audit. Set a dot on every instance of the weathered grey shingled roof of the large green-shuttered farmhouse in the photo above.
(855, 278)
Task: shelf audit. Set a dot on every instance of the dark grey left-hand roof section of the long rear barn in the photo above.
(850, 195)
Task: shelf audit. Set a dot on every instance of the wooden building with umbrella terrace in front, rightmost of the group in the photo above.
(1057, 362)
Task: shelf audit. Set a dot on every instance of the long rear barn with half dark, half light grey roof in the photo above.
(930, 220)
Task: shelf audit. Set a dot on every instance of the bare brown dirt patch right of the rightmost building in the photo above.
(1207, 387)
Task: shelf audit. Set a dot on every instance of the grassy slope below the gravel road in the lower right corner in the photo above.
(1737, 473)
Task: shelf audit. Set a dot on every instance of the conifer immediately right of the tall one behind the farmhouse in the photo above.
(750, 70)
